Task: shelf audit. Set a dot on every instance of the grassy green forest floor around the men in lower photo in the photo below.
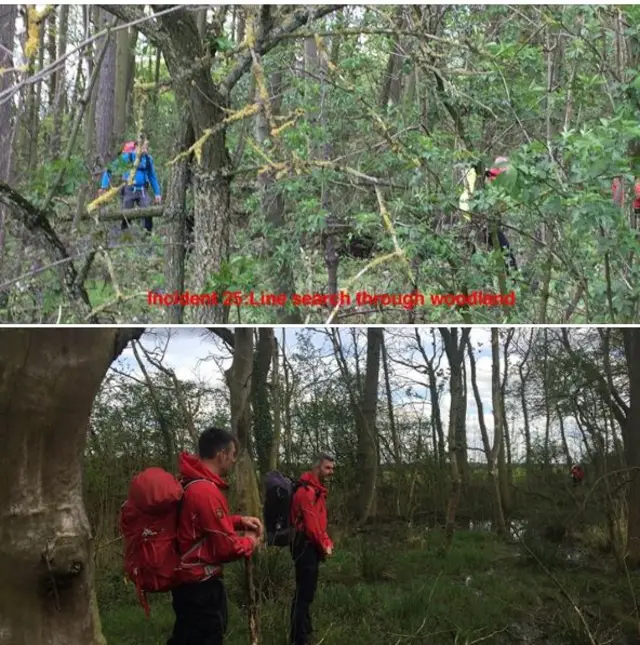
(396, 586)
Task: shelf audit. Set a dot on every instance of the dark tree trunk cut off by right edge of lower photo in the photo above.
(631, 435)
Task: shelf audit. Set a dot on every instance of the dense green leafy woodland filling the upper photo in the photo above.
(313, 149)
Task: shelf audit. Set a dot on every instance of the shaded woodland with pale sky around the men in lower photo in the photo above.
(453, 513)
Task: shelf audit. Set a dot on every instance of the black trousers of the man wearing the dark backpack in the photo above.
(307, 563)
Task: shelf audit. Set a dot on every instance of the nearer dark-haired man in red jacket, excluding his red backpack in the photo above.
(207, 539)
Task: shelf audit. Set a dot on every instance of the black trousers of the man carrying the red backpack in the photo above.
(201, 613)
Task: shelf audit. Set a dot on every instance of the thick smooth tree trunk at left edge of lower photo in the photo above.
(48, 382)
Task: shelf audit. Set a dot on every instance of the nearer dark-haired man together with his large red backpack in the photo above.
(179, 532)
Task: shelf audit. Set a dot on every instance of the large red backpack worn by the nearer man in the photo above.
(149, 521)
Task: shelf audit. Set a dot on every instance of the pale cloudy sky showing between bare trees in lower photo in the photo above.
(195, 354)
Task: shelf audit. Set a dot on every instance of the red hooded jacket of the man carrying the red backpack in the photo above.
(206, 529)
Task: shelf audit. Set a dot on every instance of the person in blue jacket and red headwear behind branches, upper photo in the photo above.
(136, 194)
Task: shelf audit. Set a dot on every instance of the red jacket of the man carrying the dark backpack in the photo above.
(309, 511)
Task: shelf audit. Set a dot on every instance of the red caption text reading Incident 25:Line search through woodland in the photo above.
(264, 299)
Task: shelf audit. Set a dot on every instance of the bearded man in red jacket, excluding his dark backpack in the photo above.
(310, 545)
